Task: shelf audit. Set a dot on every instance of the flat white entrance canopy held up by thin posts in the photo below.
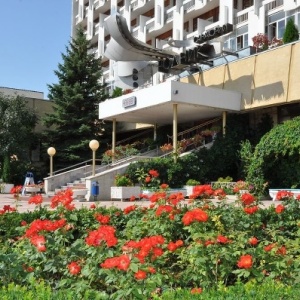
(154, 105)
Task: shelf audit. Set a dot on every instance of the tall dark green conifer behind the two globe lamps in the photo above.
(74, 121)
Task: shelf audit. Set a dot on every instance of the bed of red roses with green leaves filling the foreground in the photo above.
(153, 252)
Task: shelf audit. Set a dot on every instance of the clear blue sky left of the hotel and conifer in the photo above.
(33, 35)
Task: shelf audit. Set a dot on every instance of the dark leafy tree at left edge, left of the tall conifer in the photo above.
(17, 123)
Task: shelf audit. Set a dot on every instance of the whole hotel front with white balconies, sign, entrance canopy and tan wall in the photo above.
(148, 47)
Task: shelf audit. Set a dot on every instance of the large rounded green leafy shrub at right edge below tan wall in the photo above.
(275, 160)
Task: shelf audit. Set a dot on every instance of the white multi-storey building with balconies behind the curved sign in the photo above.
(172, 25)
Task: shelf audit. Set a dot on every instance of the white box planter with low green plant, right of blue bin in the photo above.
(124, 188)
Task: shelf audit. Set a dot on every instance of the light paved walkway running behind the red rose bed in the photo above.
(23, 206)
